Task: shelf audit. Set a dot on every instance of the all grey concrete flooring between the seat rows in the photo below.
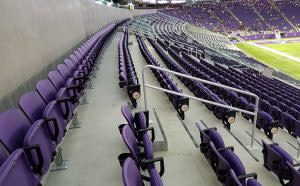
(94, 148)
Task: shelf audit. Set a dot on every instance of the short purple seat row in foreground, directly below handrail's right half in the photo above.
(226, 164)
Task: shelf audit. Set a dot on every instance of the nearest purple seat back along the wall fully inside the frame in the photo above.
(32, 105)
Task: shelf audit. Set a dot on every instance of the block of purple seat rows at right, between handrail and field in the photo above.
(277, 106)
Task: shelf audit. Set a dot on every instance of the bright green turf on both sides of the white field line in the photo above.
(273, 60)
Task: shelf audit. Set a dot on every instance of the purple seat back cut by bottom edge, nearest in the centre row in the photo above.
(131, 174)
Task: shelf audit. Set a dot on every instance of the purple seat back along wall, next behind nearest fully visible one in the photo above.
(46, 90)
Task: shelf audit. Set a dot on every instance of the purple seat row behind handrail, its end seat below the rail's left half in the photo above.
(180, 103)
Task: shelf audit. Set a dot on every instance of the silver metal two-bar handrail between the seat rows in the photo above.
(200, 99)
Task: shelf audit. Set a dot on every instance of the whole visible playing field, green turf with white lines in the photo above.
(281, 55)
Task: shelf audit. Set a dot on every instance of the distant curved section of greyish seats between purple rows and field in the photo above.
(174, 32)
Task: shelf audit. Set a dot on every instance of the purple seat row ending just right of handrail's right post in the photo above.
(265, 121)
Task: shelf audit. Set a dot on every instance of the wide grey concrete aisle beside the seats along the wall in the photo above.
(94, 148)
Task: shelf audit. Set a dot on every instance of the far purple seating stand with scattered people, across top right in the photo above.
(231, 16)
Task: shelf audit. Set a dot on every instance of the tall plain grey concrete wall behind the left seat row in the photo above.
(37, 35)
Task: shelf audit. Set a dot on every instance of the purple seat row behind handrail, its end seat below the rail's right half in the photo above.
(199, 89)
